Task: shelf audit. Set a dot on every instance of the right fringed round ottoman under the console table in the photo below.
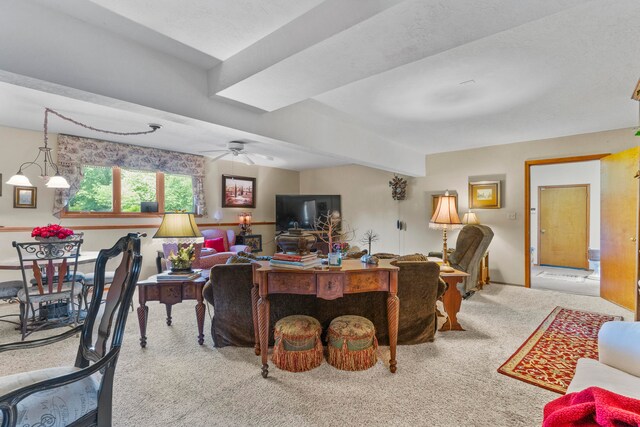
(352, 343)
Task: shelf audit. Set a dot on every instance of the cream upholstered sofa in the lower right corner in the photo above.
(618, 366)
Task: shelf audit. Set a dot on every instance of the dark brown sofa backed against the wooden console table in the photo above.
(419, 286)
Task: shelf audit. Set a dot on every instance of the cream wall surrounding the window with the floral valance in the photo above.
(21, 146)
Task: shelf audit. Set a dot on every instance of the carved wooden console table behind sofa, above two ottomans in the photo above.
(354, 277)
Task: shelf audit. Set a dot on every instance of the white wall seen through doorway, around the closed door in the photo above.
(567, 174)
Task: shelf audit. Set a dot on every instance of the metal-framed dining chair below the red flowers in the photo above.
(48, 299)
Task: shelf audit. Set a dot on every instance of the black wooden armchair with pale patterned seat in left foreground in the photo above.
(79, 395)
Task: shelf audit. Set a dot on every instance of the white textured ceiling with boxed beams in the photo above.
(337, 76)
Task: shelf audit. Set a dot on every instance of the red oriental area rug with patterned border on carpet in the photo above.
(549, 356)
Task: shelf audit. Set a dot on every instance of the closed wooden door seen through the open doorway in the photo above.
(564, 225)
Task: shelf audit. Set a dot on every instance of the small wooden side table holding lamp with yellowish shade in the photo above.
(170, 293)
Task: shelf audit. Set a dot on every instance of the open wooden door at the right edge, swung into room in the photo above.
(619, 228)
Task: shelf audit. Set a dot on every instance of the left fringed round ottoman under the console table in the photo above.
(297, 346)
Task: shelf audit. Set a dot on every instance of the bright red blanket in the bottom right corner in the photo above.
(593, 406)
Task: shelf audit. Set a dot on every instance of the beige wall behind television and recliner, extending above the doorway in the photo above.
(366, 192)
